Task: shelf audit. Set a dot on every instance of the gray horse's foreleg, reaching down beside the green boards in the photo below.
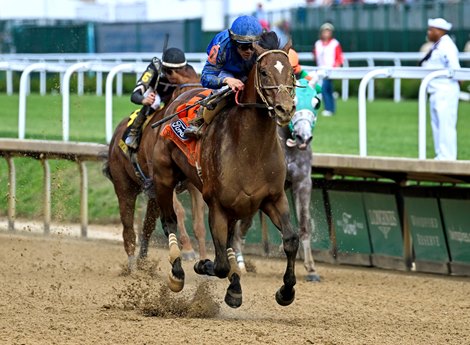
(302, 191)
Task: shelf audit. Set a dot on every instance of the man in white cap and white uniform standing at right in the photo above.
(444, 92)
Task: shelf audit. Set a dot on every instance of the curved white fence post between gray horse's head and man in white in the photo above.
(366, 80)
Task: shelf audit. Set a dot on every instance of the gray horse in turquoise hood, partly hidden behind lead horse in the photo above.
(298, 154)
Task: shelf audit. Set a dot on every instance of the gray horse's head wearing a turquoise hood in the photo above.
(303, 123)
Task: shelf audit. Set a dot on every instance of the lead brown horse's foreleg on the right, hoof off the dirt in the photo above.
(278, 211)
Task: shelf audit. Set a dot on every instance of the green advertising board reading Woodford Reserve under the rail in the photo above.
(426, 229)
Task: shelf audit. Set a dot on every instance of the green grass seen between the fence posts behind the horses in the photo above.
(392, 131)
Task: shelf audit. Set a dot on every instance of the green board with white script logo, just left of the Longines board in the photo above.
(349, 221)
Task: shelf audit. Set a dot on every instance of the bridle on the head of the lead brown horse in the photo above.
(259, 88)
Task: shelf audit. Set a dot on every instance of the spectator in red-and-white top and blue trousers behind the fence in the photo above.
(327, 53)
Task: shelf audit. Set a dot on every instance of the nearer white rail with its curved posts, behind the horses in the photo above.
(366, 74)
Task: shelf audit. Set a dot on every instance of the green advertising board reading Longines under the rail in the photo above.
(384, 224)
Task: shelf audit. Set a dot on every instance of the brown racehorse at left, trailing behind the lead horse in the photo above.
(127, 185)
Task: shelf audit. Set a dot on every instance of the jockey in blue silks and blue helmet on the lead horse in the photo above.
(230, 59)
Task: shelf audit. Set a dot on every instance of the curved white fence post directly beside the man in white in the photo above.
(422, 109)
